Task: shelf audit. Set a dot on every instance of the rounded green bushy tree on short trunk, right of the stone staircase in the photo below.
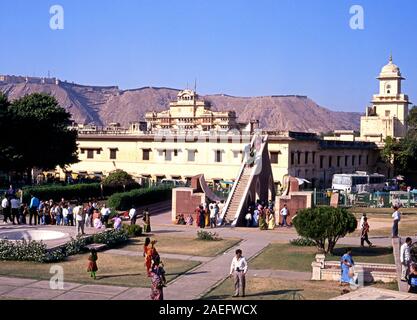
(324, 225)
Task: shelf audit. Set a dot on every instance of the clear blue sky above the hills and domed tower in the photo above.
(238, 47)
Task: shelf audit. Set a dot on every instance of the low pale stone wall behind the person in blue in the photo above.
(369, 272)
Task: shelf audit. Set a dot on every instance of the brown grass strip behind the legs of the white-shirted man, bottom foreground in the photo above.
(277, 289)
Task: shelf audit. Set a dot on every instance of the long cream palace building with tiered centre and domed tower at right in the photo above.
(190, 139)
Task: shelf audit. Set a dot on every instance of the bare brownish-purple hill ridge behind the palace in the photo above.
(103, 105)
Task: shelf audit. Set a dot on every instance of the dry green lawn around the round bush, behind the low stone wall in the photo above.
(279, 256)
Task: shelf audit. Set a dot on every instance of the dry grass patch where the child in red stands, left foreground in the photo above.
(113, 270)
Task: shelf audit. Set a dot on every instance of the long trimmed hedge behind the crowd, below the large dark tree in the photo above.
(85, 191)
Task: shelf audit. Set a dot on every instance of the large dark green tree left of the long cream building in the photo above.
(40, 137)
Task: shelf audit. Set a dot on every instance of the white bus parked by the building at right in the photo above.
(358, 182)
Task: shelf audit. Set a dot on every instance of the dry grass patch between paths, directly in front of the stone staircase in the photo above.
(185, 245)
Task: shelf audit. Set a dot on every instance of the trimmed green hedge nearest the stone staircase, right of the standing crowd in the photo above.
(139, 197)
